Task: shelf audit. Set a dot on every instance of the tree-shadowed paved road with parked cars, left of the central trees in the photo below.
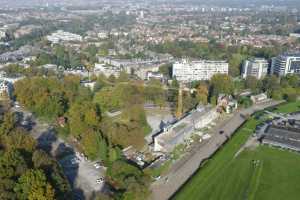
(82, 175)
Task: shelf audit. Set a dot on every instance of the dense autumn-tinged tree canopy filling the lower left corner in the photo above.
(26, 172)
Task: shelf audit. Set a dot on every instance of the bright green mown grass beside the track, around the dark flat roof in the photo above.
(226, 177)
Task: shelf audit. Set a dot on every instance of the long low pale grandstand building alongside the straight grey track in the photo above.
(183, 129)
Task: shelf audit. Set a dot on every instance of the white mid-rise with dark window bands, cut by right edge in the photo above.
(285, 64)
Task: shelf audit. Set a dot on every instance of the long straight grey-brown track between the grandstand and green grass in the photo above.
(182, 170)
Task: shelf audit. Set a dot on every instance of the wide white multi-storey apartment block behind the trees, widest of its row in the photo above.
(198, 70)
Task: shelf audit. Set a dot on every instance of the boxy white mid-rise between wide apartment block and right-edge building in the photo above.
(256, 67)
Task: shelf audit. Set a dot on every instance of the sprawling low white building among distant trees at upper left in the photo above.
(61, 36)
